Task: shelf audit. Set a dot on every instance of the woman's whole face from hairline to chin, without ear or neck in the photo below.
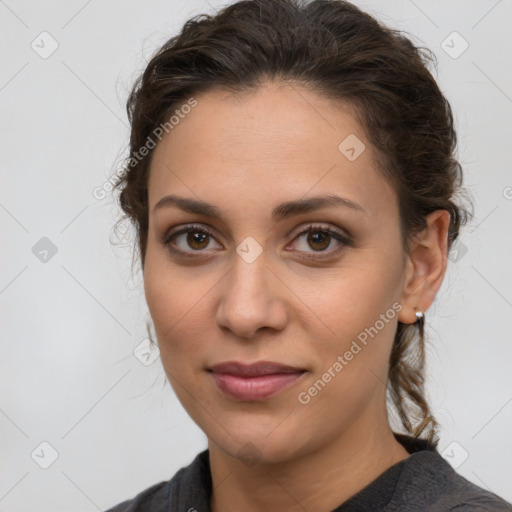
(316, 288)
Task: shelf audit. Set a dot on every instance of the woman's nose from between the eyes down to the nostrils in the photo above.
(251, 299)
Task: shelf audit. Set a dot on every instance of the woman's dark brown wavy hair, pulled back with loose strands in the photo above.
(334, 48)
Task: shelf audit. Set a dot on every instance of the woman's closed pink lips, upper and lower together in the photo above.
(255, 381)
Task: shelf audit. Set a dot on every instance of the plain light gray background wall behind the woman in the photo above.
(68, 375)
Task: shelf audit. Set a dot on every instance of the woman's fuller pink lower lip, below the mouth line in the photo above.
(254, 388)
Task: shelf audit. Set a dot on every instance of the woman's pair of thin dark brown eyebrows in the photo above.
(280, 212)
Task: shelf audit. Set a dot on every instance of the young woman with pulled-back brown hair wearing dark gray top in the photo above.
(293, 185)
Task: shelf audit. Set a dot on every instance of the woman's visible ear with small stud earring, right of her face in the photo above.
(425, 266)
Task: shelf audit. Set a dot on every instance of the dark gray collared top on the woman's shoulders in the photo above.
(422, 482)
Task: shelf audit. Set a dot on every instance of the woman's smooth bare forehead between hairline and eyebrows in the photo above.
(277, 142)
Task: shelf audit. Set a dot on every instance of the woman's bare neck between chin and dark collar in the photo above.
(320, 480)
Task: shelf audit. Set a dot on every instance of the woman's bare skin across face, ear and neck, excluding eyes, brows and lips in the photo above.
(246, 154)
